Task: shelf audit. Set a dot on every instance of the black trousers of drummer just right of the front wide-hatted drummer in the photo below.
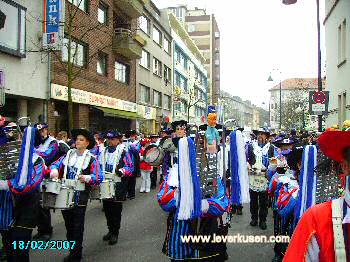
(113, 212)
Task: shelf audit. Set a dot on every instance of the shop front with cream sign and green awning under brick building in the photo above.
(93, 111)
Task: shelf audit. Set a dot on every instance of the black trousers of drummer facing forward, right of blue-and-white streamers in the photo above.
(258, 205)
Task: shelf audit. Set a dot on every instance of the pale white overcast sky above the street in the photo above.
(258, 36)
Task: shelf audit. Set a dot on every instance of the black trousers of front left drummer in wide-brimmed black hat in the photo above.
(74, 219)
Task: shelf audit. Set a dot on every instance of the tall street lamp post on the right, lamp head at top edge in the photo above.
(319, 56)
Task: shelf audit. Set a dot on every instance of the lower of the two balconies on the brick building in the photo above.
(126, 44)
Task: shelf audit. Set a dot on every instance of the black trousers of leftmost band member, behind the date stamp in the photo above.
(16, 253)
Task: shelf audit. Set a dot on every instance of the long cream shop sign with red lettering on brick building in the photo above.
(83, 97)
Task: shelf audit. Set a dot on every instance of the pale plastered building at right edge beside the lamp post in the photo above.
(337, 31)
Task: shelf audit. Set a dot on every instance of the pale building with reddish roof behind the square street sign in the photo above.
(295, 104)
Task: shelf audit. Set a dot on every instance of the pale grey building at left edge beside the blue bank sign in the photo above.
(24, 69)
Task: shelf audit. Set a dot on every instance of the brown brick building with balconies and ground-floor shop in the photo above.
(104, 47)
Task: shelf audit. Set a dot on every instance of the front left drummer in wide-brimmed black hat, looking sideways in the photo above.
(79, 159)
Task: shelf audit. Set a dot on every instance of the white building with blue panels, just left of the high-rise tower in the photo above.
(190, 82)
